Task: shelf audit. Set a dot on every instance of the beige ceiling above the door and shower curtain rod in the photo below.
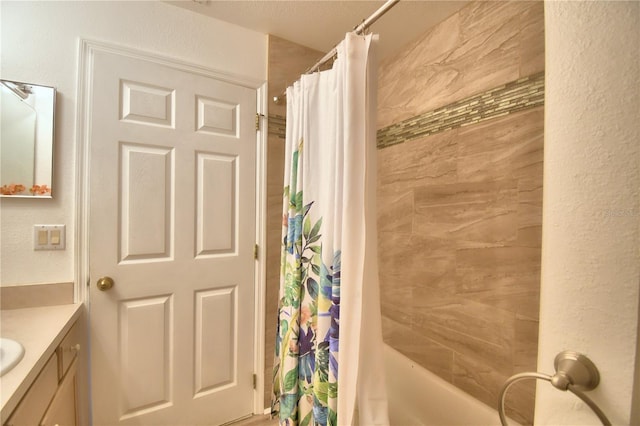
(321, 24)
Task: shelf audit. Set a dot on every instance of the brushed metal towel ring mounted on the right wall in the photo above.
(574, 373)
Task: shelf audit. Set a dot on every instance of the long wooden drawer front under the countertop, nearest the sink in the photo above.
(35, 402)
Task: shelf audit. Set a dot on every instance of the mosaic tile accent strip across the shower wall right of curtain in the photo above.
(518, 95)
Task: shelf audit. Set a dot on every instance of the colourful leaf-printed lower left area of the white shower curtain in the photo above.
(305, 385)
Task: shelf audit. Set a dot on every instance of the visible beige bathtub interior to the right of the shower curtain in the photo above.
(419, 397)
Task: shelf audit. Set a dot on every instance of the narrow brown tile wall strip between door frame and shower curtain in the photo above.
(287, 61)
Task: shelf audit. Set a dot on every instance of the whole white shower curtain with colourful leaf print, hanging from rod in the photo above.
(328, 359)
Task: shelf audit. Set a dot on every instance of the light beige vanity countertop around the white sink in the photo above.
(40, 330)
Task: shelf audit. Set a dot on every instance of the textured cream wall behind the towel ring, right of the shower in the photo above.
(590, 268)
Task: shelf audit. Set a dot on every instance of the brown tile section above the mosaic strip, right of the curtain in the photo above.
(484, 45)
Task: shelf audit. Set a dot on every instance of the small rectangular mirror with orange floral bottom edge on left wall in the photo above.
(26, 139)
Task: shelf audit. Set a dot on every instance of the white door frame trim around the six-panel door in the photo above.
(86, 50)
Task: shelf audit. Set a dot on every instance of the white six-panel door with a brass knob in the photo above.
(172, 221)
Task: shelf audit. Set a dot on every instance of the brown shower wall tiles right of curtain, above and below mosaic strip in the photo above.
(460, 211)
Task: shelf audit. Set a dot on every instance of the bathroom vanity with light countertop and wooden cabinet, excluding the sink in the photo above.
(41, 388)
